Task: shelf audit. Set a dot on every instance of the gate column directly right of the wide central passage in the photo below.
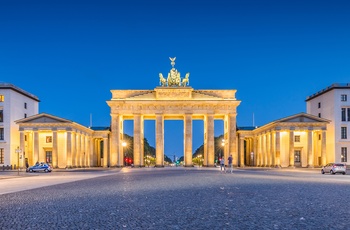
(188, 139)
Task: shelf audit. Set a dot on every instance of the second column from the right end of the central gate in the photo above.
(209, 147)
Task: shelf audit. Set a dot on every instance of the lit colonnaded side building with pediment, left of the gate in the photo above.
(62, 143)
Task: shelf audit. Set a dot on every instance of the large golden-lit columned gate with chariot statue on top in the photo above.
(174, 99)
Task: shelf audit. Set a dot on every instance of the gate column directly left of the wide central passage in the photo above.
(159, 140)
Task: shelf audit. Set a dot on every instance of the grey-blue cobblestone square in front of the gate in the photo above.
(182, 198)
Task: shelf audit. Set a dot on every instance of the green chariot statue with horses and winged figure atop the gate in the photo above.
(174, 78)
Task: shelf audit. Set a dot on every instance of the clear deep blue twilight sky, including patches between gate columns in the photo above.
(274, 53)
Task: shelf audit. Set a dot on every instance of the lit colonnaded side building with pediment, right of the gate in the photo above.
(295, 141)
